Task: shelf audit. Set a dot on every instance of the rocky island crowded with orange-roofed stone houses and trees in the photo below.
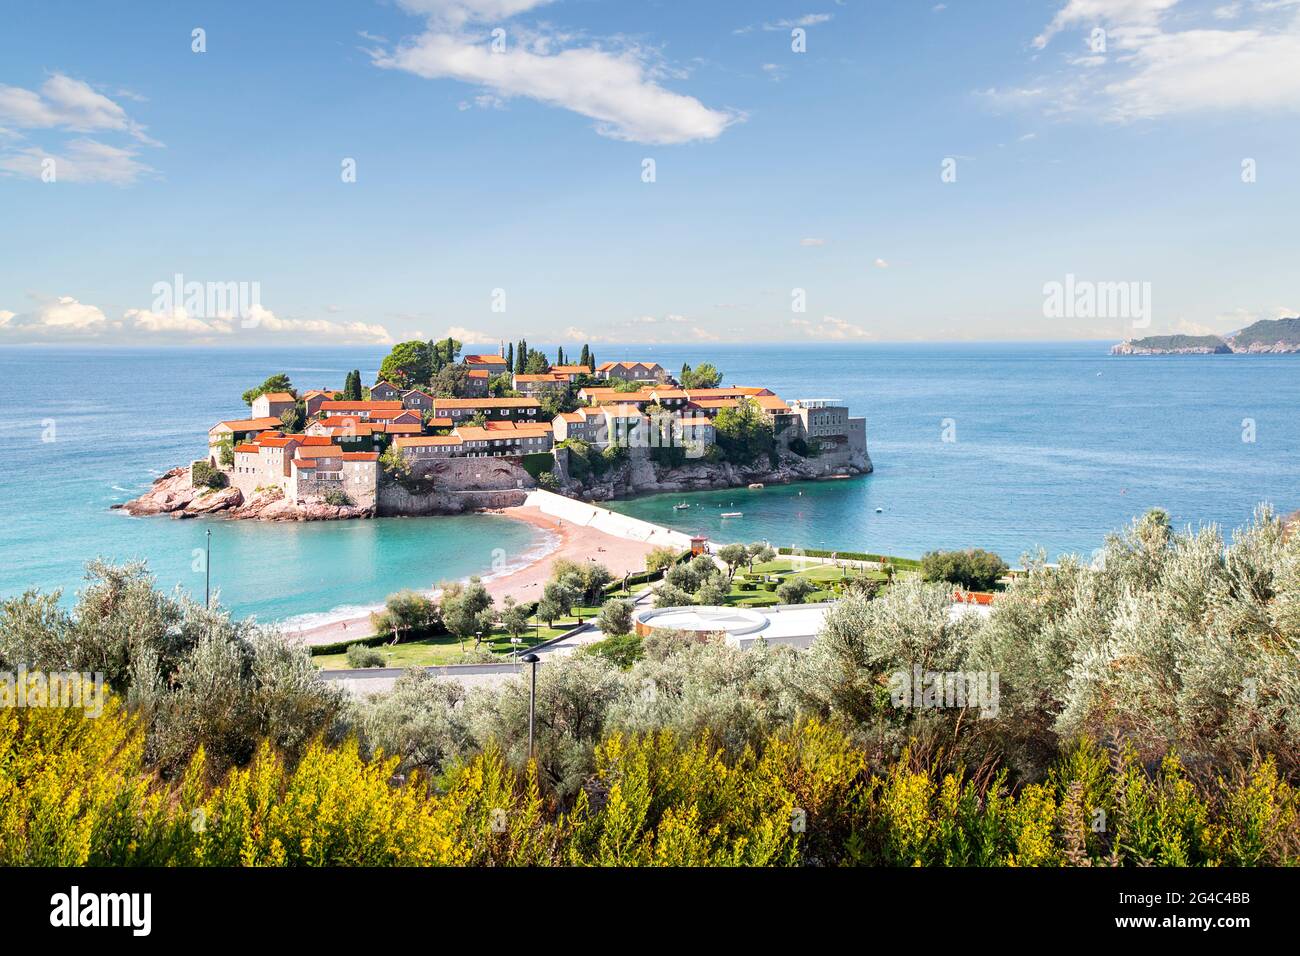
(447, 434)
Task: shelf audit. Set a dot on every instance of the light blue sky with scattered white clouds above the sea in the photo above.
(614, 172)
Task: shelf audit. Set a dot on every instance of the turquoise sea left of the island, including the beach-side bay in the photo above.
(123, 418)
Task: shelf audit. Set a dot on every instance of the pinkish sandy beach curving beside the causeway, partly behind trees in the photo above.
(573, 542)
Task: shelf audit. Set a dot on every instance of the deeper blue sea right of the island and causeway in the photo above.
(1055, 447)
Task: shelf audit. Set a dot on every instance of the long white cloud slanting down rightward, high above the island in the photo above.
(617, 90)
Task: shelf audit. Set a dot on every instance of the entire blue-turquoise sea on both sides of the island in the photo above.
(1055, 447)
